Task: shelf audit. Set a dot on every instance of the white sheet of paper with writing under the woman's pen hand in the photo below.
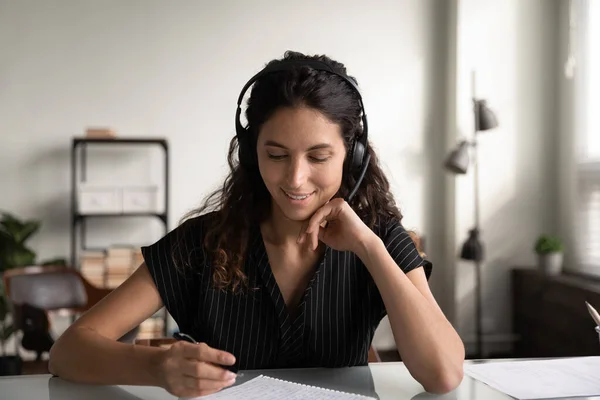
(267, 388)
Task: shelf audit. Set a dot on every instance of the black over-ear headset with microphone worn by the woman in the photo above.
(358, 156)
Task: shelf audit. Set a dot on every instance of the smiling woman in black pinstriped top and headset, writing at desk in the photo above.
(293, 263)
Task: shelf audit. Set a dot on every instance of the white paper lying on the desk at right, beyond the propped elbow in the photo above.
(541, 379)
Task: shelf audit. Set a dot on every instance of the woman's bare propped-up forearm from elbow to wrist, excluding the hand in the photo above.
(428, 344)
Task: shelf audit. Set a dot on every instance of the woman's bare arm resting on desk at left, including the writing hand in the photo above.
(88, 351)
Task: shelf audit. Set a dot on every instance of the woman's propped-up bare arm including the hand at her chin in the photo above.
(427, 342)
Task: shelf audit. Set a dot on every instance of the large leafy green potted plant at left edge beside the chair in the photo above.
(14, 253)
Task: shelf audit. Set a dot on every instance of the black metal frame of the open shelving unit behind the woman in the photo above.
(78, 220)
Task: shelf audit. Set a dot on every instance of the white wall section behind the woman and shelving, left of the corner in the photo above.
(158, 68)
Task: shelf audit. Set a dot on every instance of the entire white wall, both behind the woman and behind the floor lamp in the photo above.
(152, 68)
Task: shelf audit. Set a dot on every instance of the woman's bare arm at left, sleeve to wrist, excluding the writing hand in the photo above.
(88, 350)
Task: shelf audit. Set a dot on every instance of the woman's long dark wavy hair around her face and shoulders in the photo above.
(243, 201)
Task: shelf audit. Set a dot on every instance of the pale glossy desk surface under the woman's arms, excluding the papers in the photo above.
(379, 380)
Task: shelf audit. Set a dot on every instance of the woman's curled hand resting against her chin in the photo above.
(337, 225)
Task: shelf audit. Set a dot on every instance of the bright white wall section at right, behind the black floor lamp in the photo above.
(513, 47)
